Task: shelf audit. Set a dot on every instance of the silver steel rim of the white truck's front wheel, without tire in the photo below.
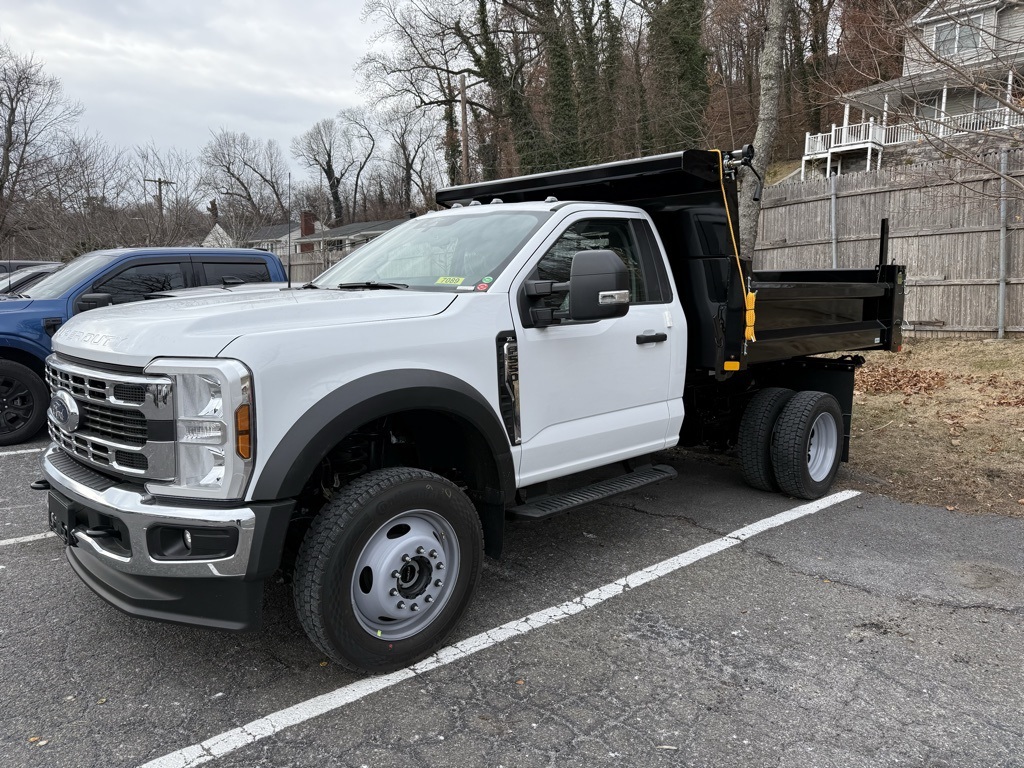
(405, 575)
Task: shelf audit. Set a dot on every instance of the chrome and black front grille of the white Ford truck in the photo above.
(116, 416)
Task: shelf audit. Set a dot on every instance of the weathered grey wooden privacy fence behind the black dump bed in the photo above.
(958, 226)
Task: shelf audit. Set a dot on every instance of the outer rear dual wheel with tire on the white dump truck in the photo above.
(807, 444)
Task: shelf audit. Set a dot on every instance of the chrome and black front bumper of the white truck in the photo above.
(110, 528)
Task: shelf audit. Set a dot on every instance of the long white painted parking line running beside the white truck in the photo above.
(268, 727)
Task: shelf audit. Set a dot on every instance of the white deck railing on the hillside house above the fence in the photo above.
(864, 135)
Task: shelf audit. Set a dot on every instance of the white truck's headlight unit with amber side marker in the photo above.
(215, 436)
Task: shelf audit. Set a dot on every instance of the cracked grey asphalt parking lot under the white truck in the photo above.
(868, 633)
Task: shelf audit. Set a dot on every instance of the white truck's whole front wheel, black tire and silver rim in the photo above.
(387, 571)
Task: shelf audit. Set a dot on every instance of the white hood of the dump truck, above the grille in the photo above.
(201, 327)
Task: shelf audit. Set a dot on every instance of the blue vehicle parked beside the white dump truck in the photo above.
(29, 320)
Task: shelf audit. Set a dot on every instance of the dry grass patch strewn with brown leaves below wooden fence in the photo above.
(943, 423)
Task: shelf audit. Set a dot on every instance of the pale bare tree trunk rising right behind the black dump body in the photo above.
(764, 140)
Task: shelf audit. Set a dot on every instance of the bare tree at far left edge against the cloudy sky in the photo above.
(35, 118)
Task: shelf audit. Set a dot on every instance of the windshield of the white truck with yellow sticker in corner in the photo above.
(448, 252)
